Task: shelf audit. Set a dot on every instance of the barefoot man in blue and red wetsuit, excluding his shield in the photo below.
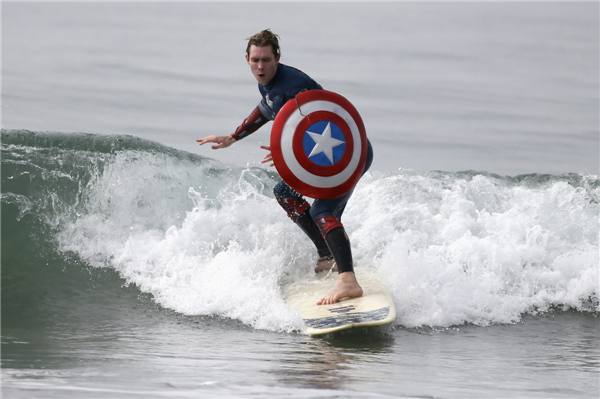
(277, 84)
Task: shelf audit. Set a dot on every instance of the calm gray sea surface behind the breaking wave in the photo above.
(506, 88)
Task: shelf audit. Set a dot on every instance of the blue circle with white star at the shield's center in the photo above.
(324, 143)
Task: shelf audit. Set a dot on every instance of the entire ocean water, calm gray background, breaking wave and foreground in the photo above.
(135, 264)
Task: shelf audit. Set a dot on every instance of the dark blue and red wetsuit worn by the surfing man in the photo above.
(321, 221)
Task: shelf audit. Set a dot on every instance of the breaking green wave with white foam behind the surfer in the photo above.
(207, 238)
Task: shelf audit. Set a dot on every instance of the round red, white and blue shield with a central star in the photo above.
(319, 144)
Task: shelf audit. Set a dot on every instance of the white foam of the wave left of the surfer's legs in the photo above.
(225, 256)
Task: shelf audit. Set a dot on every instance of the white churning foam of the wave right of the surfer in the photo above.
(477, 248)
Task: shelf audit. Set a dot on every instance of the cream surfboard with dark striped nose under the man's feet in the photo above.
(374, 308)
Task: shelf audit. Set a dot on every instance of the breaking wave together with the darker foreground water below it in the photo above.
(130, 269)
